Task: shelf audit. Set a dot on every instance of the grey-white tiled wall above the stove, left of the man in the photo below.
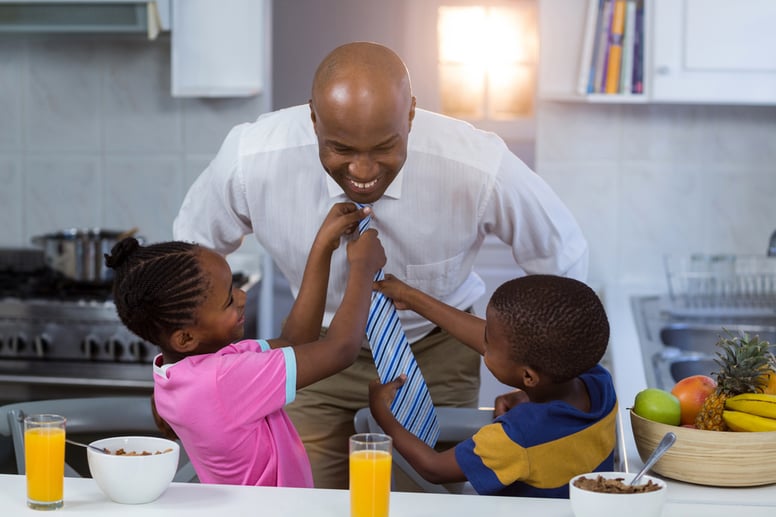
(91, 137)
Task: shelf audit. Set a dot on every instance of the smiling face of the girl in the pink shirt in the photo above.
(220, 318)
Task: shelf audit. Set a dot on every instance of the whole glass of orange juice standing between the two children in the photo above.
(370, 474)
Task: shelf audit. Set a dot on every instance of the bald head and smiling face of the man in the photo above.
(362, 110)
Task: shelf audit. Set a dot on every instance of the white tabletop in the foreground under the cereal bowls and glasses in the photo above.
(82, 497)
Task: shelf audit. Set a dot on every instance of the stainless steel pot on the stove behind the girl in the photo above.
(78, 253)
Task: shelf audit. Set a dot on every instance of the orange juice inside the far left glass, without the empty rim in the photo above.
(44, 455)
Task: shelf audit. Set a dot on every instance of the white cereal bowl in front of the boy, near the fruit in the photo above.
(586, 503)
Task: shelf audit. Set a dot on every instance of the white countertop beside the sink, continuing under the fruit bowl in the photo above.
(629, 379)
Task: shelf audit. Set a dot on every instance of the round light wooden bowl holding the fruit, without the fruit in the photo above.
(713, 458)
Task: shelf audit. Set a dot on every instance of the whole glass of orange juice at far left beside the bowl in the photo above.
(44, 457)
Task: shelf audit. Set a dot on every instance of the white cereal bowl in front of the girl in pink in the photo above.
(133, 479)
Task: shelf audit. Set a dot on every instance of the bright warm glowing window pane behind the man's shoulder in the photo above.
(487, 58)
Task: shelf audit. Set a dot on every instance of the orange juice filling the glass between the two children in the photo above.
(370, 483)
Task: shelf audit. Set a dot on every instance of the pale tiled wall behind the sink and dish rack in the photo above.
(648, 180)
